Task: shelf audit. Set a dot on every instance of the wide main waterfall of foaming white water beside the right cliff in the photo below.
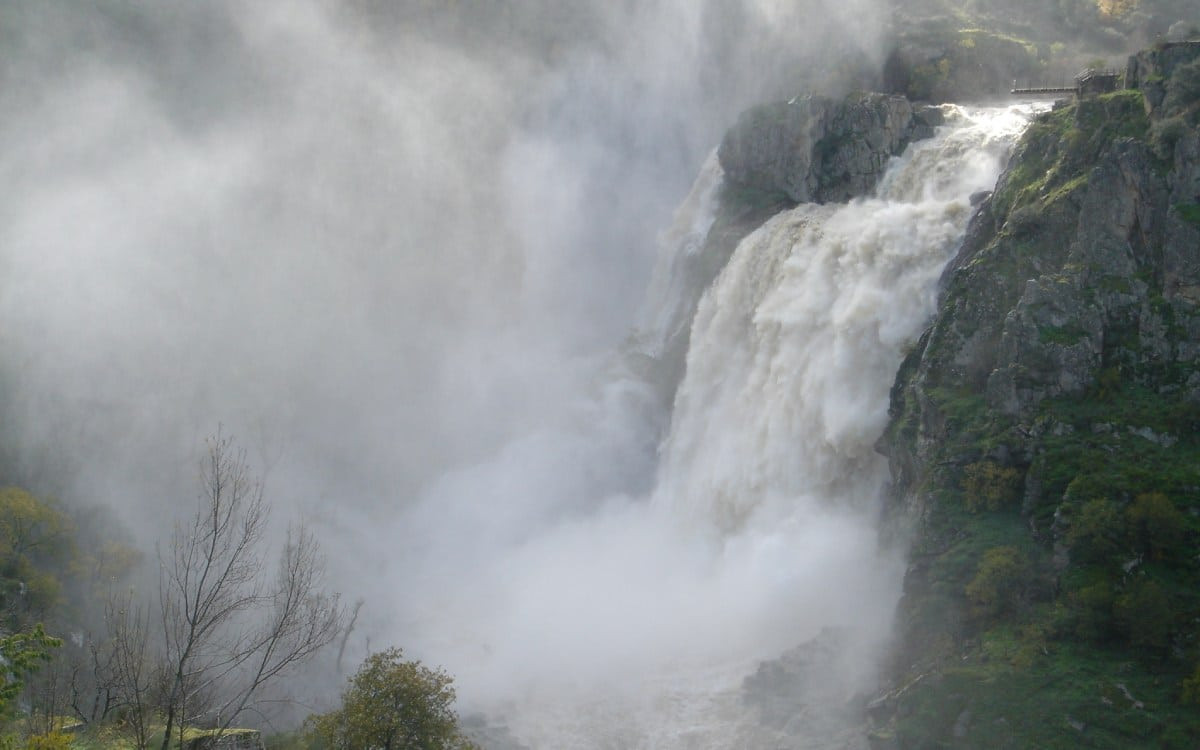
(796, 345)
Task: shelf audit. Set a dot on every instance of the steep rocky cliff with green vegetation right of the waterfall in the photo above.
(1046, 443)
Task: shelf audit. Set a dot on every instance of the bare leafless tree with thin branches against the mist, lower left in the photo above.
(229, 628)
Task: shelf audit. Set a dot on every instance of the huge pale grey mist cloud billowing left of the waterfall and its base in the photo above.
(392, 248)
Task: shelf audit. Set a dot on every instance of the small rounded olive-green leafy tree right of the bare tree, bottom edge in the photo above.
(393, 705)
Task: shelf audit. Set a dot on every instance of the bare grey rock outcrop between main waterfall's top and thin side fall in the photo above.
(815, 149)
